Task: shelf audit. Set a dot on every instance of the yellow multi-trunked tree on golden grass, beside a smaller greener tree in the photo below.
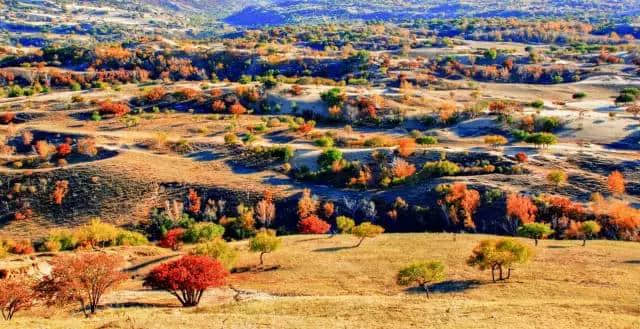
(498, 254)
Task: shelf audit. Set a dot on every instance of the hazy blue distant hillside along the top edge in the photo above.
(296, 11)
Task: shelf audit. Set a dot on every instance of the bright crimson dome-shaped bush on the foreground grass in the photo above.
(187, 278)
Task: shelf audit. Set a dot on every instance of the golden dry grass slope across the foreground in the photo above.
(326, 283)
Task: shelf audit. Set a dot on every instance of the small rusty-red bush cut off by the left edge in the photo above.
(16, 294)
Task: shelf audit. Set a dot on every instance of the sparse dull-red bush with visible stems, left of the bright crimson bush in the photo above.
(82, 278)
